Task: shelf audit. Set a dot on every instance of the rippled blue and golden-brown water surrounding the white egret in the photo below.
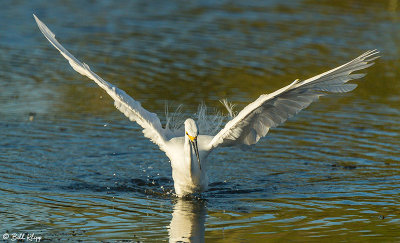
(73, 168)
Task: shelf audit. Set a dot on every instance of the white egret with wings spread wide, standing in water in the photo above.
(187, 150)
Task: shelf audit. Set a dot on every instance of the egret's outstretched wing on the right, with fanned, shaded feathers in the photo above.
(271, 110)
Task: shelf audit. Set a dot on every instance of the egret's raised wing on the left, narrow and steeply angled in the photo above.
(151, 124)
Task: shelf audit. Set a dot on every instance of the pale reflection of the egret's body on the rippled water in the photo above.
(187, 223)
